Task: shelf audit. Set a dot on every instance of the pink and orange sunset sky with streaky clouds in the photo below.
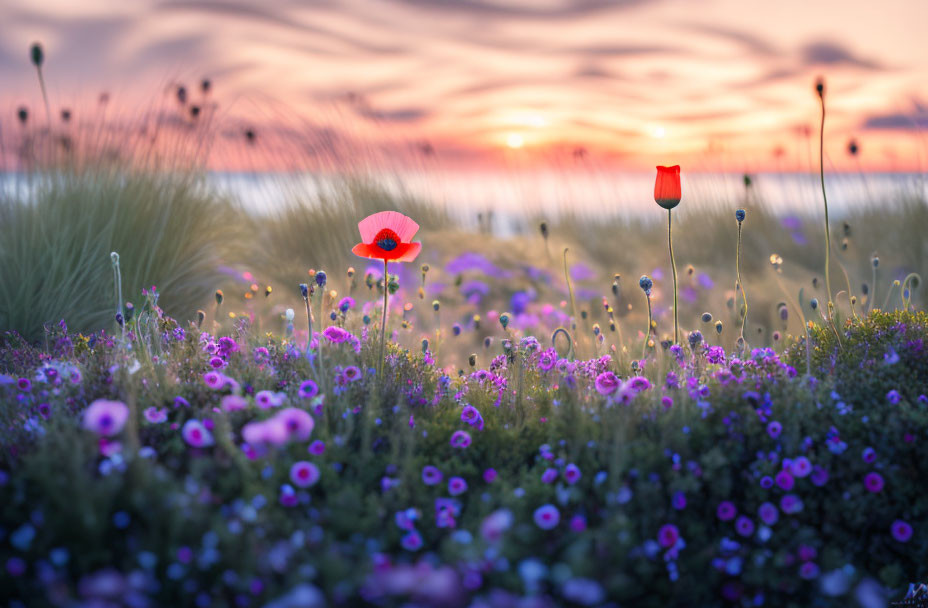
(712, 84)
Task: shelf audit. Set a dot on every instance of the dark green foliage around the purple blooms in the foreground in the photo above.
(222, 507)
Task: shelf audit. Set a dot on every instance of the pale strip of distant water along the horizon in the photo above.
(512, 196)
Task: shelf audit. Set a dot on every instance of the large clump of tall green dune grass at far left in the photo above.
(56, 237)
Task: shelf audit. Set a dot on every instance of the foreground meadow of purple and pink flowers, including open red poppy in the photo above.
(208, 463)
